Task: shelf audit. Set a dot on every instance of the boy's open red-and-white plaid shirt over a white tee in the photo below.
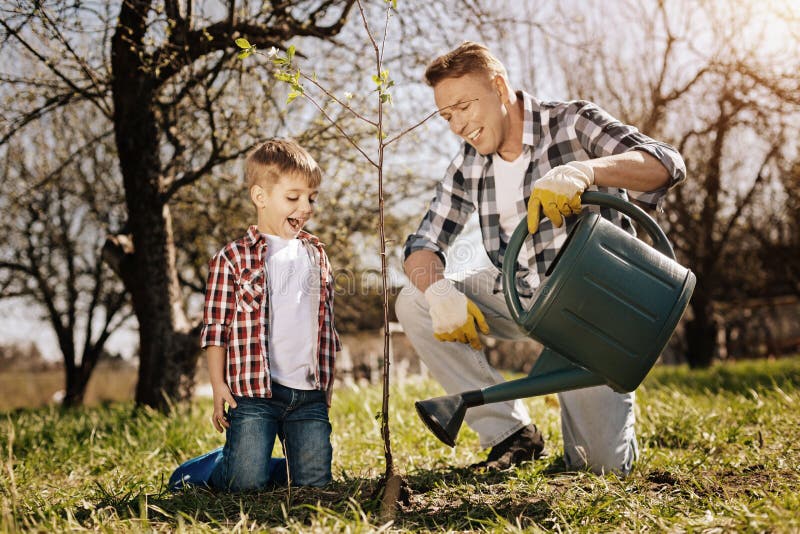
(237, 314)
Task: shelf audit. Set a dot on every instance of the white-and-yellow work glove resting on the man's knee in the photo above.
(454, 315)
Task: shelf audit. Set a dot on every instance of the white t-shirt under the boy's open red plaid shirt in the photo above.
(292, 332)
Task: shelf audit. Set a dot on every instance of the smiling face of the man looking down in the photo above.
(474, 106)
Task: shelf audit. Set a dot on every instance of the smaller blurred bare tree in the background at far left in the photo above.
(56, 205)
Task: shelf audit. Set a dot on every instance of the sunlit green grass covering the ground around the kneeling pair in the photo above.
(719, 453)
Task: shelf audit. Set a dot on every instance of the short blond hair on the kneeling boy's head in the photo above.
(267, 163)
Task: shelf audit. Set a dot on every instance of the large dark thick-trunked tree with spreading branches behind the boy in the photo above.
(153, 68)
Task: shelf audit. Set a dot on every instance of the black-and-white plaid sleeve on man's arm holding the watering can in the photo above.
(602, 135)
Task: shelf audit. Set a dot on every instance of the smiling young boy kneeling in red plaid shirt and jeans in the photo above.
(269, 335)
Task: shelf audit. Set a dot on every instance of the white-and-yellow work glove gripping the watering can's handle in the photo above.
(558, 193)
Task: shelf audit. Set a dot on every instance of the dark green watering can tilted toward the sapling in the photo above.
(604, 312)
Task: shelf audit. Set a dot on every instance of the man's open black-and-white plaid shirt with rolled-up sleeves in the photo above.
(554, 133)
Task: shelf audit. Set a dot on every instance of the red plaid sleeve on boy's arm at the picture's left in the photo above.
(220, 303)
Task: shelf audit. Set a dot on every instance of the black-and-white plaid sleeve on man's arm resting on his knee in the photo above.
(447, 214)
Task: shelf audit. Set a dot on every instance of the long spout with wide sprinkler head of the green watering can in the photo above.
(552, 373)
